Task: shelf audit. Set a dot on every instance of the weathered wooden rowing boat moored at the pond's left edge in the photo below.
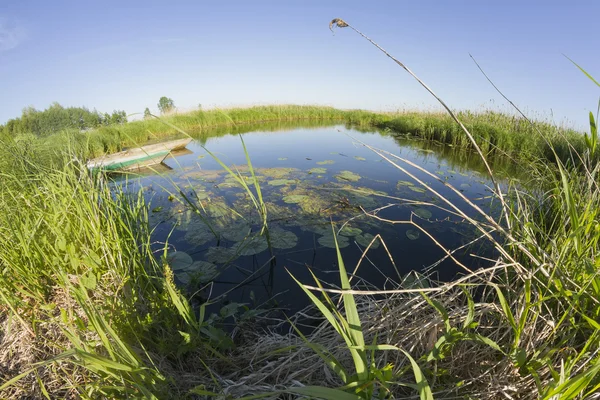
(137, 157)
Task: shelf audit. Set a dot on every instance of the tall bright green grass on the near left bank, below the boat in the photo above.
(93, 307)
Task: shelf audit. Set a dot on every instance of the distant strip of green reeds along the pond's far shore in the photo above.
(495, 133)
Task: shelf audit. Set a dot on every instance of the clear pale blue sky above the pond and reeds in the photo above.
(127, 54)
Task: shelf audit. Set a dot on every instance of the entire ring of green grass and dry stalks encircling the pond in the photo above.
(89, 309)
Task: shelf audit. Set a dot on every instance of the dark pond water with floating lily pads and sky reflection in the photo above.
(309, 178)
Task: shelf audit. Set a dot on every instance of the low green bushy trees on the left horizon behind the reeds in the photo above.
(57, 118)
